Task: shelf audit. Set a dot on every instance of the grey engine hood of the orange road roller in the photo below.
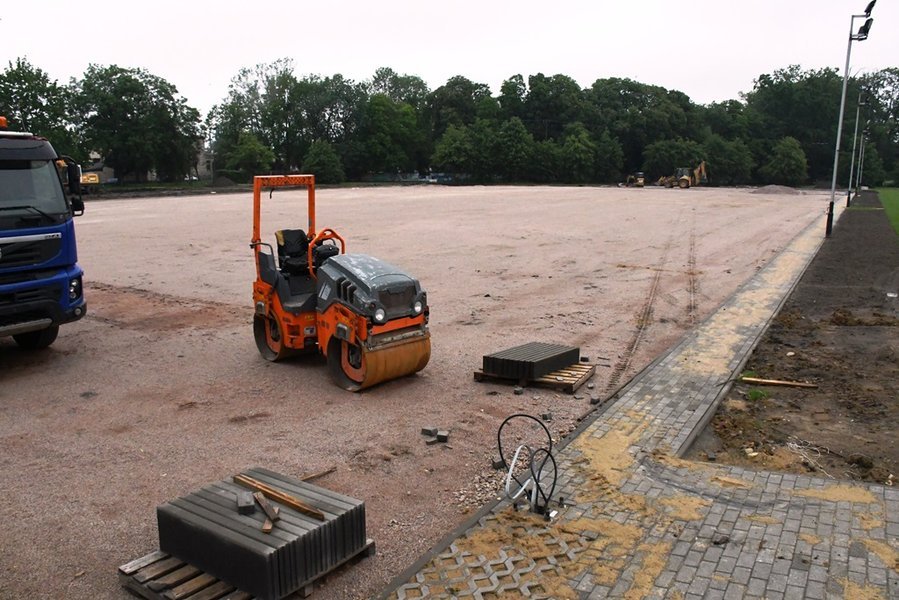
(365, 284)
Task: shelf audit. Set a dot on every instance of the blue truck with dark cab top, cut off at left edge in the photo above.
(40, 280)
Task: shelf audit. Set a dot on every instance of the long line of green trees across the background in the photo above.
(542, 129)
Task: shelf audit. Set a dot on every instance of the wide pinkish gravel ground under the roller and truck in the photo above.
(161, 390)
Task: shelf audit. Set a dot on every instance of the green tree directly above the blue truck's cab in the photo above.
(32, 102)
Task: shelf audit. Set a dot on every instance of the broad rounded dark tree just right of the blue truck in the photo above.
(137, 122)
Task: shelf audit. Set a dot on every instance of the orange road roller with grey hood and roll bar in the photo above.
(367, 317)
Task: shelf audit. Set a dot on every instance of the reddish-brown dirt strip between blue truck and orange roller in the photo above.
(144, 310)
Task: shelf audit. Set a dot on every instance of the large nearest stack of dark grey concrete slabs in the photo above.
(206, 530)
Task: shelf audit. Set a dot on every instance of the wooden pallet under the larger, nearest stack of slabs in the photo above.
(158, 576)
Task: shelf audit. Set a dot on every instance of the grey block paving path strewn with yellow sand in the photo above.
(640, 522)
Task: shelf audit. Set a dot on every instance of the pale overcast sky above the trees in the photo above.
(710, 49)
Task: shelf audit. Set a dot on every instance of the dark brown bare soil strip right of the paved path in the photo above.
(839, 330)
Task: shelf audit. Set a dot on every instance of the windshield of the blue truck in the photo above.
(31, 184)
